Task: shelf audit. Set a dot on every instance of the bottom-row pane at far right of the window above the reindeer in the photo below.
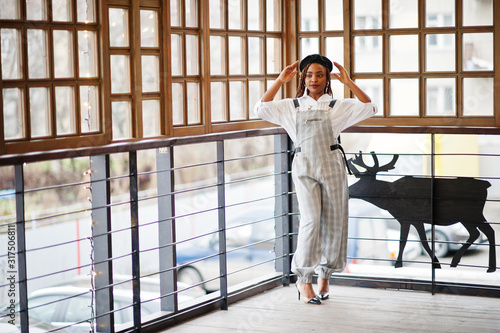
(478, 96)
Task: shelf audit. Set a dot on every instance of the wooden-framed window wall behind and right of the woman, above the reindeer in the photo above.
(425, 63)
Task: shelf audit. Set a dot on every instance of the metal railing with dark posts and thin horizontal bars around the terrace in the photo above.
(156, 244)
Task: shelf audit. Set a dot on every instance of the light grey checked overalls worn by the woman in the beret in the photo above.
(319, 175)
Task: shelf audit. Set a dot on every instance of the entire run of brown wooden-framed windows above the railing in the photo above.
(85, 72)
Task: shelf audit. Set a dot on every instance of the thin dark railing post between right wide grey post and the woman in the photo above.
(221, 197)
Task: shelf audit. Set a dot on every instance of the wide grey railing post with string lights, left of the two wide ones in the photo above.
(101, 219)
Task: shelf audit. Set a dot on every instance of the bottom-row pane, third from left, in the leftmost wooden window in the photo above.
(65, 110)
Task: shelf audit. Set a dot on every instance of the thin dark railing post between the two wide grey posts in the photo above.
(134, 233)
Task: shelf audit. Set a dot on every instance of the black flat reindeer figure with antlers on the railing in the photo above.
(408, 200)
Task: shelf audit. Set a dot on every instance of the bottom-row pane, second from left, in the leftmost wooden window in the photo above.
(39, 111)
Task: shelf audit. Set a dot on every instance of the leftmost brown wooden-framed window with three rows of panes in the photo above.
(50, 72)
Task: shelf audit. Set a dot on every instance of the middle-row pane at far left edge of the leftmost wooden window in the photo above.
(11, 54)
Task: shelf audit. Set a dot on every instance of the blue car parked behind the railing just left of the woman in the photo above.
(249, 242)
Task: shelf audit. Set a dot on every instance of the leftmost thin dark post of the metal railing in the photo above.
(21, 248)
